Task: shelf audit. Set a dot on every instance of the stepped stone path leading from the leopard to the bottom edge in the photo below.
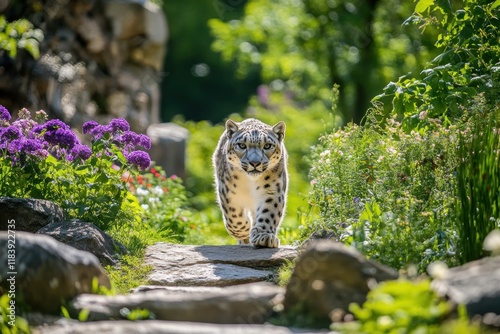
(193, 289)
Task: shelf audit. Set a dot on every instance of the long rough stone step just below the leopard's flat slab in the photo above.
(245, 304)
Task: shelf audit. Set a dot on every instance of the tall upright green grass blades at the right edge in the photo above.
(478, 175)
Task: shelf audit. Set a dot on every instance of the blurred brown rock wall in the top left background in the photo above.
(99, 60)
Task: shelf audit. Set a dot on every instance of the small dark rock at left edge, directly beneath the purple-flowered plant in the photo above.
(28, 214)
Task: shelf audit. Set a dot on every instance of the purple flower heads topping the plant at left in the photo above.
(25, 138)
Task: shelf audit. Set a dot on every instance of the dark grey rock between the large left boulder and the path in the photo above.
(85, 236)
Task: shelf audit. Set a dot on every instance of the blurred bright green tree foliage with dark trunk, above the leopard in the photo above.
(308, 45)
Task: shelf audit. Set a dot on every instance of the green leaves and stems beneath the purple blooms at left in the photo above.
(91, 189)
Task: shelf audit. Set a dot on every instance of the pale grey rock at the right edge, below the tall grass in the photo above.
(475, 284)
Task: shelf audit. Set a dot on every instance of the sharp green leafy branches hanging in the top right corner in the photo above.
(467, 66)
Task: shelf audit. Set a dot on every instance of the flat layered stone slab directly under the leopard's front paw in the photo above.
(187, 265)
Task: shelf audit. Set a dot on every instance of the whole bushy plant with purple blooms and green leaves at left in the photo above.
(45, 159)
